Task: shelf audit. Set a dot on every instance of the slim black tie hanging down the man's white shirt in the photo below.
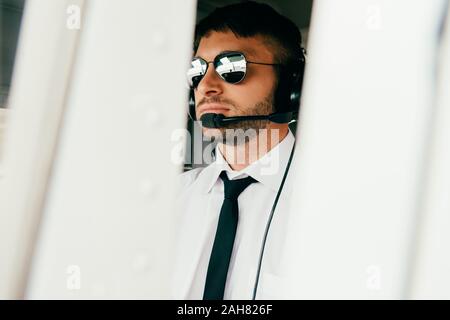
(224, 240)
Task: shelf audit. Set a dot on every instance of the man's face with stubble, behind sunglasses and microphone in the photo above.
(251, 96)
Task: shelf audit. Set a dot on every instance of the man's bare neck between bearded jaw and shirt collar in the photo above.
(241, 156)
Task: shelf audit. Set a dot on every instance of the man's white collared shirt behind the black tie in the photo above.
(200, 202)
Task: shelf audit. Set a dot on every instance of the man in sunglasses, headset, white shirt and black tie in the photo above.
(248, 62)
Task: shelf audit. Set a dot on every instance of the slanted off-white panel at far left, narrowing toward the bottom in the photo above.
(41, 74)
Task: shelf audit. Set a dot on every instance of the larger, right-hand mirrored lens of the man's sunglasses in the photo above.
(231, 67)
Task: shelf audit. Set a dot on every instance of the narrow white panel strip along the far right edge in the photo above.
(432, 276)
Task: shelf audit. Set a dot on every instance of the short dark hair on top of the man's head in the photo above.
(248, 19)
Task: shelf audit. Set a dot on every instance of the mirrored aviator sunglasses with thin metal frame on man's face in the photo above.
(231, 66)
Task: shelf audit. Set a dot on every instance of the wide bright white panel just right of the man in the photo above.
(363, 128)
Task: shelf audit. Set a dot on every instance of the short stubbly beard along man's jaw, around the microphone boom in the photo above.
(243, 131)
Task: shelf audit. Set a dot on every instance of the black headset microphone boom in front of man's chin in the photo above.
(218, 120)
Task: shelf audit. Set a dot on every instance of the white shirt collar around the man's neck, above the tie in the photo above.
(268, 170)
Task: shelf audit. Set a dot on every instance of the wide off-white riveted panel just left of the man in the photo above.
(107, 222)
